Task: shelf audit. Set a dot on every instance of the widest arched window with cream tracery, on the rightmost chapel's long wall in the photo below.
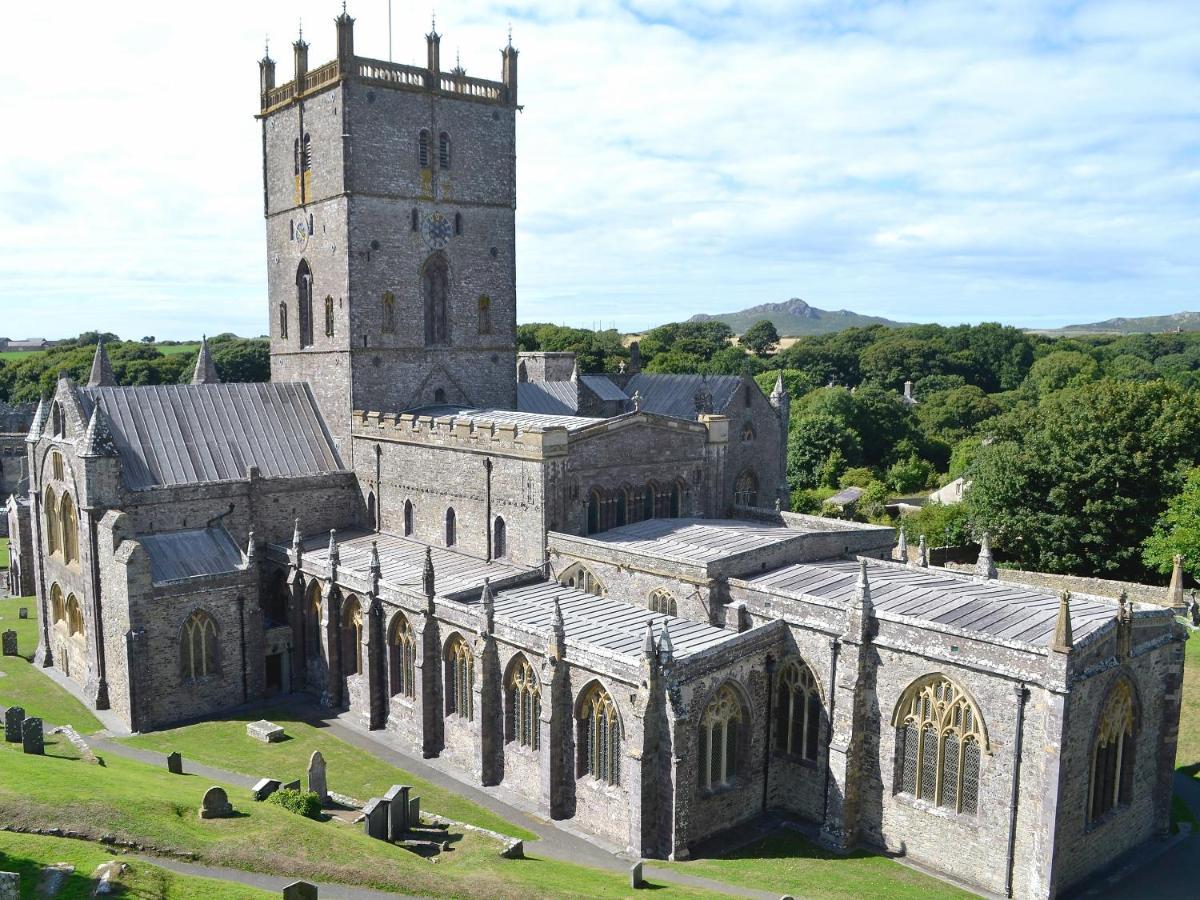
(940, 739)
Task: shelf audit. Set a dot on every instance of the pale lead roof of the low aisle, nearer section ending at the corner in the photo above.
(598, 621)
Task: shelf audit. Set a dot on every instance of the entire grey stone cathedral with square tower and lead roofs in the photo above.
(584, 589)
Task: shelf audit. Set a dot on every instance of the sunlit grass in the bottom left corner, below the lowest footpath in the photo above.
(27, 854)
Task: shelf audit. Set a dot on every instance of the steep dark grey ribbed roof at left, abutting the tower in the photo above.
(193, 434)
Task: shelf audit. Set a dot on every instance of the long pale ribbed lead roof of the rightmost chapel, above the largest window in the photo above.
(1013, 613)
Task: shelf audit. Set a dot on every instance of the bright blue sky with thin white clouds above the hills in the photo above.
(1023, 161)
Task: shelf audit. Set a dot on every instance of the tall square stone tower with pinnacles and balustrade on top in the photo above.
(389, 194)
